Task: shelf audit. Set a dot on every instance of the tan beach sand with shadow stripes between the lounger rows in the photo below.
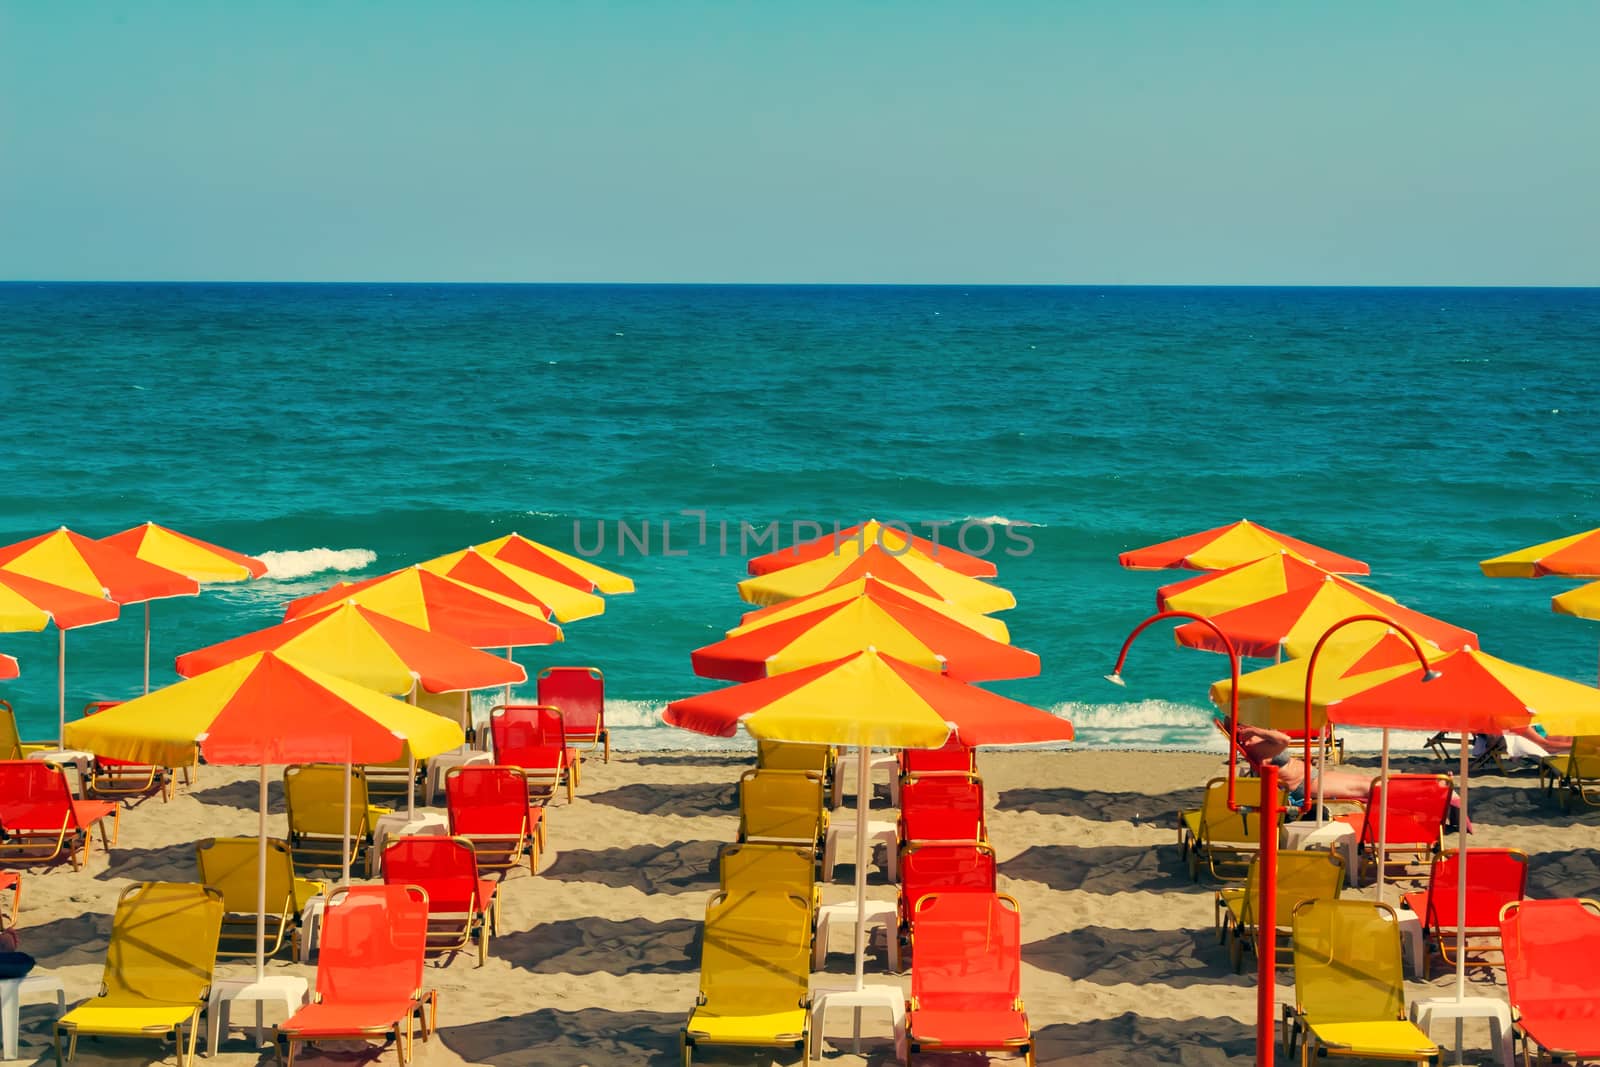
(598, 956)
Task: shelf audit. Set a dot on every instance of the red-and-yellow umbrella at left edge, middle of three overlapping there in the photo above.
(97, 570)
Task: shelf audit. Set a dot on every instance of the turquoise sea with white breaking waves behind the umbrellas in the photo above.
(348, 430)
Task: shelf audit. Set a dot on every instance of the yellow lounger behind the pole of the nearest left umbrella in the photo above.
(230, 865)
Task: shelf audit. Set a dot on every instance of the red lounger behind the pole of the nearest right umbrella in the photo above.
(1495, 879)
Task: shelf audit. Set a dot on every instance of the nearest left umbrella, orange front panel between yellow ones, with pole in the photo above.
(266, 711)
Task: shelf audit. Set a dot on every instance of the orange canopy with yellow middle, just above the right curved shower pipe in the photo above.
(1294, 621)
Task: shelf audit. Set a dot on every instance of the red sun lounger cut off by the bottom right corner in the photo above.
(1551, 977)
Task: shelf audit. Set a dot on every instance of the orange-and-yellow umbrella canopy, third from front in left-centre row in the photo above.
(442, 605)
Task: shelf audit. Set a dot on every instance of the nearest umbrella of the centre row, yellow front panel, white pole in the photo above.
(866, 700)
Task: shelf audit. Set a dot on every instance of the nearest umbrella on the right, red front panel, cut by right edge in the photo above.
(1471, 692)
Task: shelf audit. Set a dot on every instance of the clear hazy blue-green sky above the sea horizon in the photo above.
(1358, 143)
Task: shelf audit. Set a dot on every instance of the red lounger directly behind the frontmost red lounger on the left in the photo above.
(462, 906)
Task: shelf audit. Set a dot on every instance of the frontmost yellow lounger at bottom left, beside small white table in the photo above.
(158, 969)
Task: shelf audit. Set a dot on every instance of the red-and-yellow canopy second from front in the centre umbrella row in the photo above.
(911, 634)
